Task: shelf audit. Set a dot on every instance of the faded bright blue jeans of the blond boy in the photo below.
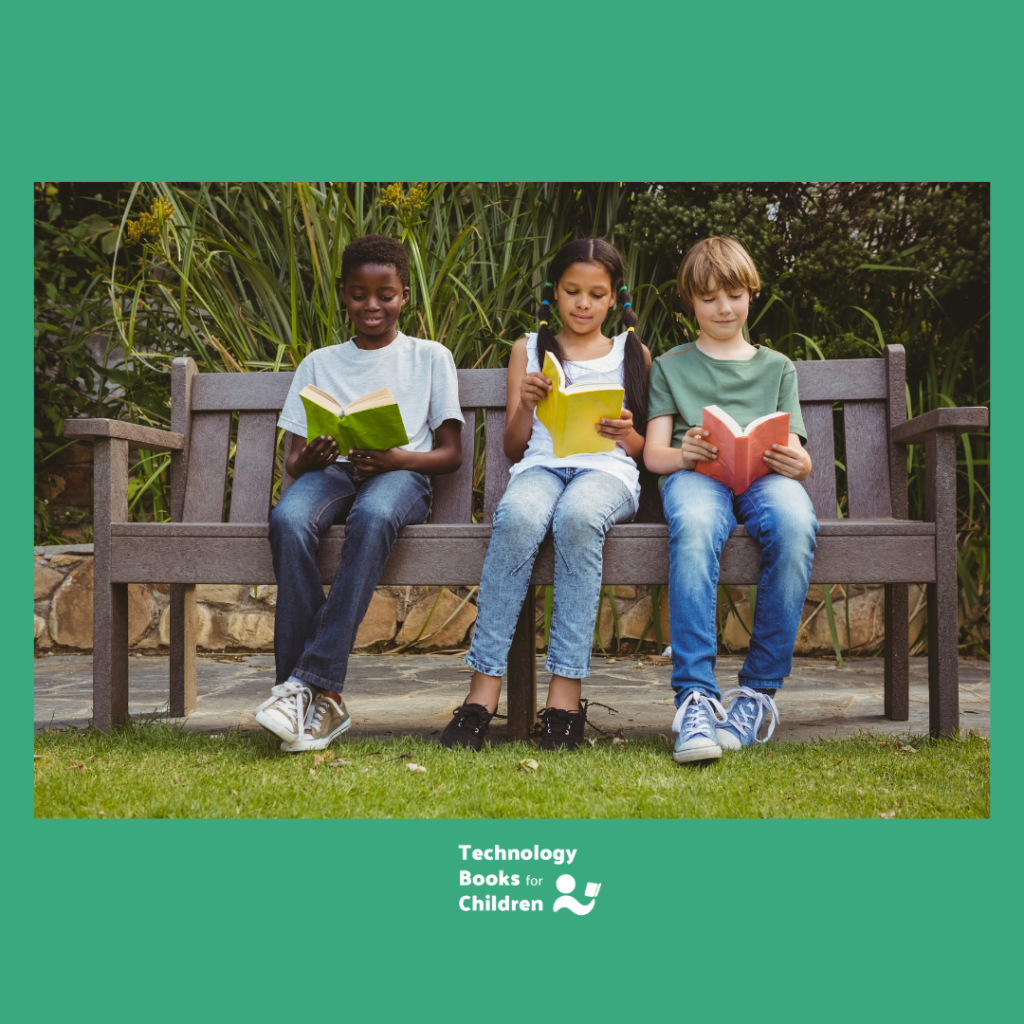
(702, 513)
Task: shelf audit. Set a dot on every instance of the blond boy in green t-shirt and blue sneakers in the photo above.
(718, 280)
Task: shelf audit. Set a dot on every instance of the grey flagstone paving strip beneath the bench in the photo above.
(415, 695)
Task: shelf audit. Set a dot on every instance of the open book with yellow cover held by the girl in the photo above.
(572, 412)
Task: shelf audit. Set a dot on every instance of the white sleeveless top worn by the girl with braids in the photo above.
(540, 452)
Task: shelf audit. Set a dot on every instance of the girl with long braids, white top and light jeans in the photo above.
(579, 498)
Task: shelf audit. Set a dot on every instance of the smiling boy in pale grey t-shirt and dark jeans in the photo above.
(378, 492)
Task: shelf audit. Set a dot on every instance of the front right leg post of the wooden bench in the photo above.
(944, 629)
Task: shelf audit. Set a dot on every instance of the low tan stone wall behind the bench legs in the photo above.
(239, 618)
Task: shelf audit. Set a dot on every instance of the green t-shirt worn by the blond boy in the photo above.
(685, 380)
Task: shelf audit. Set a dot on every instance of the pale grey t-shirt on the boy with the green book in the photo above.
(420, 374)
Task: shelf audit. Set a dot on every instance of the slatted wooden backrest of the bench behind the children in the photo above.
(872, 394)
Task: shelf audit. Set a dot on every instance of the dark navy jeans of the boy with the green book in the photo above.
(314, 635)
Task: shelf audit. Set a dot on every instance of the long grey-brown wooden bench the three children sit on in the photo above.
(876, 543)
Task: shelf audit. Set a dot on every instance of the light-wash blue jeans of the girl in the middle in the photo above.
(579, 506)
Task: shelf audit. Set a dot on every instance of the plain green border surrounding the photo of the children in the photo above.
(696, 919)
